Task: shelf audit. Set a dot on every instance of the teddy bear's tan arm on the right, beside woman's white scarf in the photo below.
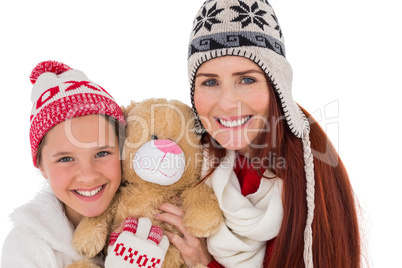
(203, 215)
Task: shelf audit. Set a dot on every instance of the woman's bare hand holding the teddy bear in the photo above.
(193, 250)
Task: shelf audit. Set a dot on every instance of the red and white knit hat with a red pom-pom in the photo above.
(60, 93)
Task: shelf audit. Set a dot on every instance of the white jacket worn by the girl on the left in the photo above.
(41, 236)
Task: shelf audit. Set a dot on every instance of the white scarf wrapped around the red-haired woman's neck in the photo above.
(250, 221)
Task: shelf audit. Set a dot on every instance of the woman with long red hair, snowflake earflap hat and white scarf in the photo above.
(283, 189)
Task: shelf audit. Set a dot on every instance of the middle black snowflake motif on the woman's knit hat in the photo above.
(249, 15)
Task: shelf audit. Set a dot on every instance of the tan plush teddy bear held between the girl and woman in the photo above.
(161, 161)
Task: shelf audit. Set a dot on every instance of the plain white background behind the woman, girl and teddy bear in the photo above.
(346, 56)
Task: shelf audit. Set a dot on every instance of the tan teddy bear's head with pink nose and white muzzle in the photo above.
(161, 148)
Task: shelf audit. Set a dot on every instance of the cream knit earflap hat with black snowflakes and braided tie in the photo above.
(250, 29)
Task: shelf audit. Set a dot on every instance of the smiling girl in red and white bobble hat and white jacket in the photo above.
(75, 134)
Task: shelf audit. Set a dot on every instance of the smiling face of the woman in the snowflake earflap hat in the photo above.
(231, 97)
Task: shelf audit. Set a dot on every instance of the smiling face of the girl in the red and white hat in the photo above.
(80, 158)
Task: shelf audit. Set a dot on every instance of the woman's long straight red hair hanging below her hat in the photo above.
(336, 239)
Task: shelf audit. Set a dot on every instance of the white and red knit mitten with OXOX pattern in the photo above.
(139, 245)
